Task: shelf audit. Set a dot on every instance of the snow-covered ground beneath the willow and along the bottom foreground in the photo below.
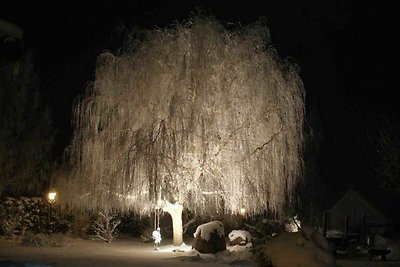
(133, 252)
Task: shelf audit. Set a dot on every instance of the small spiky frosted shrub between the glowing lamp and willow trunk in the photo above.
(104, 226)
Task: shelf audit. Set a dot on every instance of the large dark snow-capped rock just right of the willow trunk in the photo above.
(210, 237)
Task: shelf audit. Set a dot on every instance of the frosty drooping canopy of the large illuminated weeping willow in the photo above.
(194, 114)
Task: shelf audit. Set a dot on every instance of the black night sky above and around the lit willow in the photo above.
(348, 55)
